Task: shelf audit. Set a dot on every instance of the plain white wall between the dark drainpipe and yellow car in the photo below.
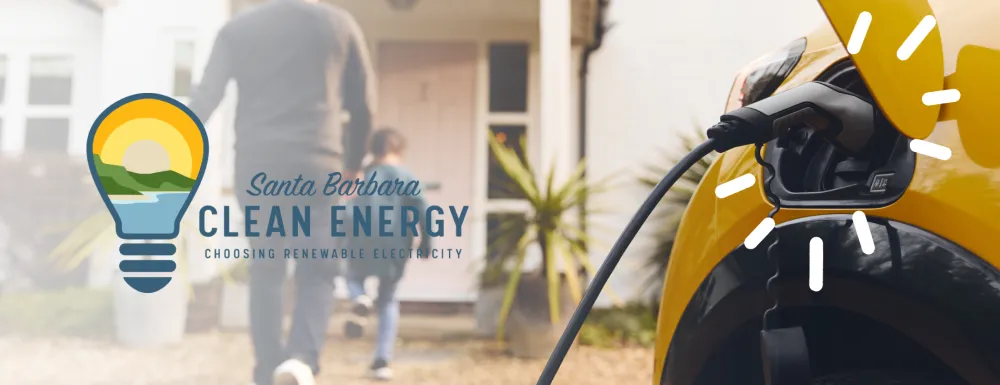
(663, 65)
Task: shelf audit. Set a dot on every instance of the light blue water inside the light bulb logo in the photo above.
(154, 215)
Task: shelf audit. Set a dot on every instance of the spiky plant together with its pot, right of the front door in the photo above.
(536, 304)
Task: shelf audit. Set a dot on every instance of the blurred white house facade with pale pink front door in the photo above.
(449, 72)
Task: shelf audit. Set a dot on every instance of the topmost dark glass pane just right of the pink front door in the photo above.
(509, 77)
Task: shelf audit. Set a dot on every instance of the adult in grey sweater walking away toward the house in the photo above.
(297, 64)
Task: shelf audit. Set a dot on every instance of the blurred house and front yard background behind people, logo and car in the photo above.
(621, 85)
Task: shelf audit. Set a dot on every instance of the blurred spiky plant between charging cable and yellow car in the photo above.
(666, 219)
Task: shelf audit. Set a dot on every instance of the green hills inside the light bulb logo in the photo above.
(119, 181)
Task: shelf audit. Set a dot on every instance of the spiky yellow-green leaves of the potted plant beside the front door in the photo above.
(546, 226)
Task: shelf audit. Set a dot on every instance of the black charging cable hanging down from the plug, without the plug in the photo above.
(615, 255)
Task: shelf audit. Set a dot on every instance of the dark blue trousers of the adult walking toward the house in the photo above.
(313, 280)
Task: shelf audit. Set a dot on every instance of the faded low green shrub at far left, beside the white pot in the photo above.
(74, 311)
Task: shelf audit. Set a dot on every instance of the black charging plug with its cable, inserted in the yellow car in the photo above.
(847, 120)
